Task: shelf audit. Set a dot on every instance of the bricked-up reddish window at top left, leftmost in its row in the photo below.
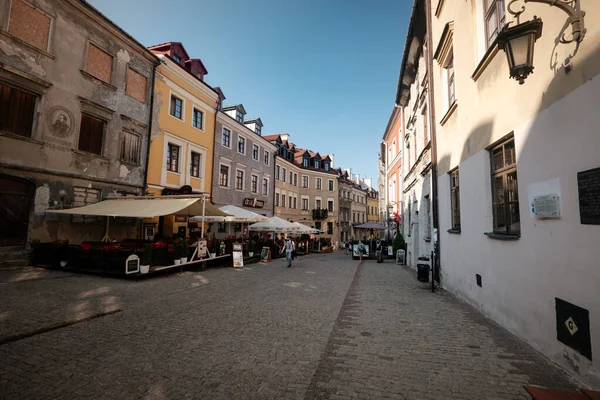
(29, 24)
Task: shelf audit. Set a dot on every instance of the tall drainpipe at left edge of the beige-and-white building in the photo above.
(432, 125)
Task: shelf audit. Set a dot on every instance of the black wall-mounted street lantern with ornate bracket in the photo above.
(518, 41)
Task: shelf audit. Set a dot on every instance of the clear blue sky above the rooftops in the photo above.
(324, 71)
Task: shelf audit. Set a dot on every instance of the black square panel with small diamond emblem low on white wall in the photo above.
(573, 327)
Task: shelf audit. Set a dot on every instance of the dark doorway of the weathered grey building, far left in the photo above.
(15, 202)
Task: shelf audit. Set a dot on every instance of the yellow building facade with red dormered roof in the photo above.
(183, 135)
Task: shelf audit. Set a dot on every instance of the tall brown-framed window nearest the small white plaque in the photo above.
(505, 195)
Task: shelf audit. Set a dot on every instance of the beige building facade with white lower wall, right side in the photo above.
(516, 164)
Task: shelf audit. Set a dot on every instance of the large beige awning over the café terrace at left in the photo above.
(147, 207)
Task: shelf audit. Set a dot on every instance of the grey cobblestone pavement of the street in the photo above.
(327, 328)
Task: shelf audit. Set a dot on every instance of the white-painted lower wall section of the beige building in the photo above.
(553, 258)
